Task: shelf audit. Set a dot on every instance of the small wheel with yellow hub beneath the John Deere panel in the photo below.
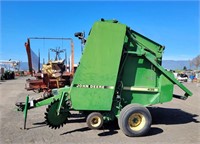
(94, 120)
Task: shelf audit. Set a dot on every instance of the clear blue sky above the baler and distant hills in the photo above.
(174, 24)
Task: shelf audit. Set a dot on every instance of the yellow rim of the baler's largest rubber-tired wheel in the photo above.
(136, 121)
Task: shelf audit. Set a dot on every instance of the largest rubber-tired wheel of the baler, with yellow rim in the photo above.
(135, 120)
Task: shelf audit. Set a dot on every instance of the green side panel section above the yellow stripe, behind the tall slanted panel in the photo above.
(138, 72)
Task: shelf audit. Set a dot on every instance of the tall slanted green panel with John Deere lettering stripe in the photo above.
(95, 78)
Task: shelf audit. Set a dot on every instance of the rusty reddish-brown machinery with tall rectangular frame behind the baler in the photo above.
(54, 74)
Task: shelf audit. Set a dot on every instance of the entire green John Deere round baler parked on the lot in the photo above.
(119, 75)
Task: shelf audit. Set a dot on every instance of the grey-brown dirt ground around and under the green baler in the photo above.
(175, 122)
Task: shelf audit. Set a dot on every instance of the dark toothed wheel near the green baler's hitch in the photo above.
(53, 120)
